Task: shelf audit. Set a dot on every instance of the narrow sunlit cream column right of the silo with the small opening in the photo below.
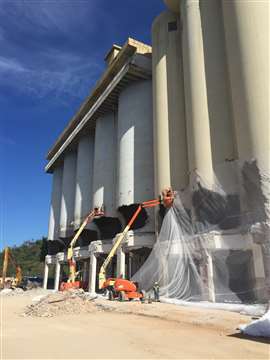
(198, 128)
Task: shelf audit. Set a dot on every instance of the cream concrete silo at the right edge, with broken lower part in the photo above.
(247, 42)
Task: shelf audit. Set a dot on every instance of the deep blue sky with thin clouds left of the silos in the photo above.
(51, 54)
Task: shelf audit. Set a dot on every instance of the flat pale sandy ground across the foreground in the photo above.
(126, 331)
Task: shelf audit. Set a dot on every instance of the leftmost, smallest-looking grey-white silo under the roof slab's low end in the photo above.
(54, 217)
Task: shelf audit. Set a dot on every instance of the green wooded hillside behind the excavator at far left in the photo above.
(30, 256)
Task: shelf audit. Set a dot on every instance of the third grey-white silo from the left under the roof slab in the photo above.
(84, 177)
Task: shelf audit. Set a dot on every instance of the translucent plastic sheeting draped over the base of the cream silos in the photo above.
(204, 250)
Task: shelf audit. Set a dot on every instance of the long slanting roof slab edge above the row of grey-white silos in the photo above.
(131, 47)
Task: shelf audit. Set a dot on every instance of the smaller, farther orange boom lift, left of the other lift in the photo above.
(72, 283)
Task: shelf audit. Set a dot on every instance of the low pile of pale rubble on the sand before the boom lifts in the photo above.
(62, 303)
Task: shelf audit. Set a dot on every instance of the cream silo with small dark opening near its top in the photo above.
(170, 143)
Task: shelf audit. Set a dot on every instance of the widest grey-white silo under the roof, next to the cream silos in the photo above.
(135, 146)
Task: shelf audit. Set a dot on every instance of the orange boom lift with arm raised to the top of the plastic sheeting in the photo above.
(120, 288)
